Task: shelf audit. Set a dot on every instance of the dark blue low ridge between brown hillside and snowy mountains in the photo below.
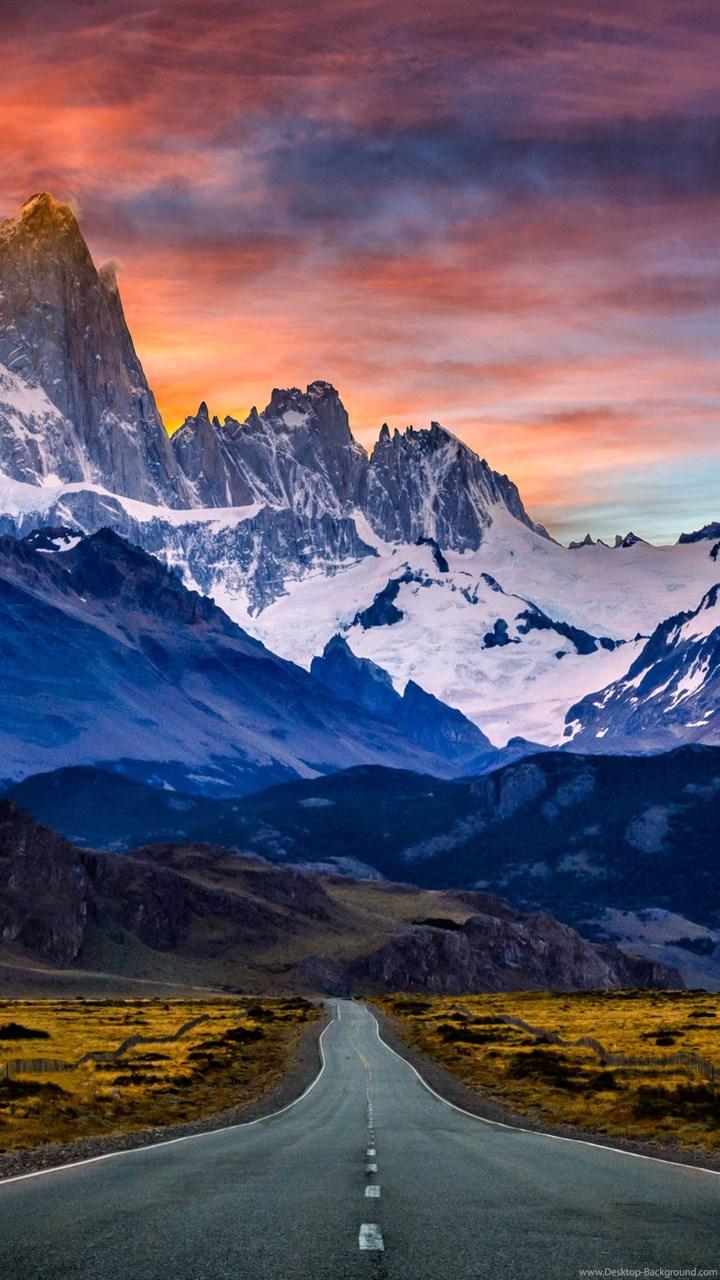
(617, 847)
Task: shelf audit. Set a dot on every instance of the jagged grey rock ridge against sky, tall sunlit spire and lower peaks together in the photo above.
(63, 333)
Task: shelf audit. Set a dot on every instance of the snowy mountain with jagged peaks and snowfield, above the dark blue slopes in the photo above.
(420, 556)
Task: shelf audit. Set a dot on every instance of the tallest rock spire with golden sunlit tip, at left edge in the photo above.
(76, 401)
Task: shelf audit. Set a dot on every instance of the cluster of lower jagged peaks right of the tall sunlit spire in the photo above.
(300, 454)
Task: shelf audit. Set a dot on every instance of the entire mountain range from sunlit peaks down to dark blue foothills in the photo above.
(257, 634)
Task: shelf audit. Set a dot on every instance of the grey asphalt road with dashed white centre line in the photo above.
(367, 1176)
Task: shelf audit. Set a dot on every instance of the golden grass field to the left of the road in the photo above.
(230, 1060)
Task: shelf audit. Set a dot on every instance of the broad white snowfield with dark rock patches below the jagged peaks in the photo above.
(512, 634)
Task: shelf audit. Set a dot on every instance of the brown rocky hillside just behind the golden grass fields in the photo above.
(198, 913)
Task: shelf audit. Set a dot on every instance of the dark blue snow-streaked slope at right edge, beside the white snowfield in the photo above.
(669, 696)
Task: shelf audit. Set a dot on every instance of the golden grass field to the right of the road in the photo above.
(569, 1086)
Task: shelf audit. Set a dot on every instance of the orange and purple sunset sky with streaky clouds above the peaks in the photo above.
(499, 214)
